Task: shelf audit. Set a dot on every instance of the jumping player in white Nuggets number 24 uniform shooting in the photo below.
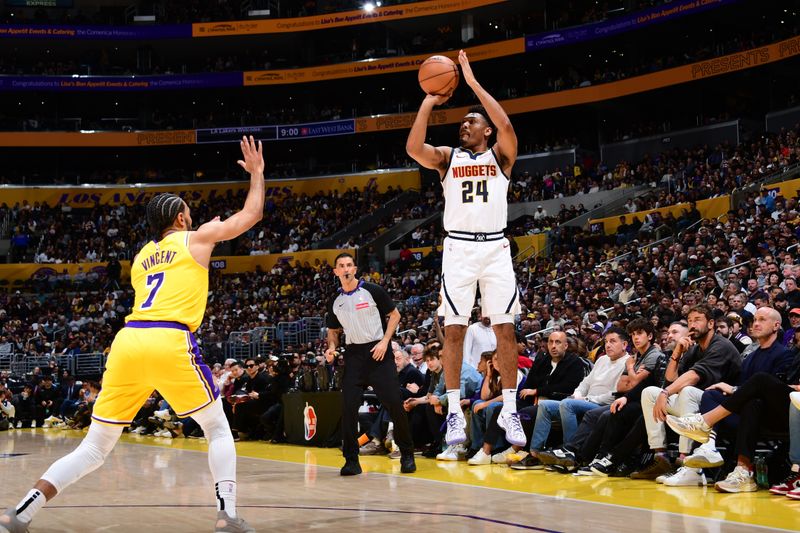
(475, 180)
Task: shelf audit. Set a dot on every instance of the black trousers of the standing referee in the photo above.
(361, 371)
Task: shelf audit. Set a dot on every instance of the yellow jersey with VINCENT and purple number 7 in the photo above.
(169, 284)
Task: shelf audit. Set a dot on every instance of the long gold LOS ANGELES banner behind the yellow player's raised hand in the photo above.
(140, 194)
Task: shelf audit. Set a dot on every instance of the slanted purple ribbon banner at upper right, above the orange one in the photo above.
(622, 24)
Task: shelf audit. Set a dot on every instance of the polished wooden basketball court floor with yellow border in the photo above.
(152, 484)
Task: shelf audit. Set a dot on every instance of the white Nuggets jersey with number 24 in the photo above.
(475, 190)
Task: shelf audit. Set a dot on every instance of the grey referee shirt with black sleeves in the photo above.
(361, 313)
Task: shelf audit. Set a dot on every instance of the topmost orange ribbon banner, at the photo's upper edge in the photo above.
(336, 20)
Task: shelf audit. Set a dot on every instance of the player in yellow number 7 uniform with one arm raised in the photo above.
(156, 350)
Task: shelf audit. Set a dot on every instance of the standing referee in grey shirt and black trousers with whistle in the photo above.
(361, 310)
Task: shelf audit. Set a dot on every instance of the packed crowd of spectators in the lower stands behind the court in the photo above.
(589, 302)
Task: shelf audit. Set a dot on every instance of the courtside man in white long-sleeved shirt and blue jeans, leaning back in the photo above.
(596, 389)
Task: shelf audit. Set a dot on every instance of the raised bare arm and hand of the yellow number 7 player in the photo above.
(218, 230)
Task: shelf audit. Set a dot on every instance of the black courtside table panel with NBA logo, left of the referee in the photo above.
(313, 418)
